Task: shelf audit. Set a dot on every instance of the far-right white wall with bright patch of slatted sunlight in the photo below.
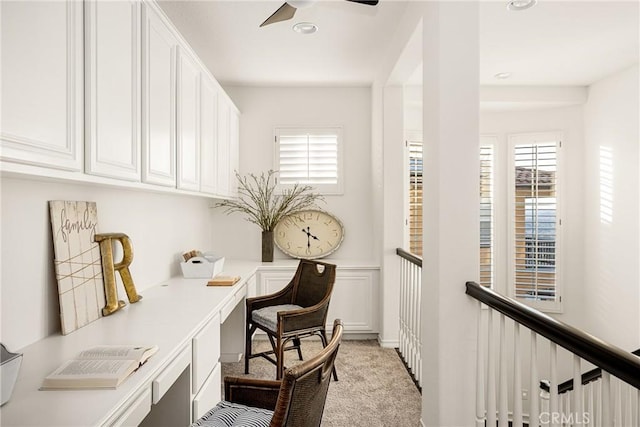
(612, 256)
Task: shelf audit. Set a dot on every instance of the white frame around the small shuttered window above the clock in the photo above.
(325, 189)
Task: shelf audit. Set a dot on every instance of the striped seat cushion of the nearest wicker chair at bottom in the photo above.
(227, 414)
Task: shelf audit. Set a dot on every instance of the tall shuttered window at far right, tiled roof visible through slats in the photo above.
(535, 220)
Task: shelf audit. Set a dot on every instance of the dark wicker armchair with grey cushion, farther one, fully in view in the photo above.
(298, 310)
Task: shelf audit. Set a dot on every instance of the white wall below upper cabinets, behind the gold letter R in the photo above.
(160, 226)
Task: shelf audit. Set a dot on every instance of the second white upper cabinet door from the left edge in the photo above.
(112, 40)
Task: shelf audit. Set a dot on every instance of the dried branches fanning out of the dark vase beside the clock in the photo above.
(263, 206)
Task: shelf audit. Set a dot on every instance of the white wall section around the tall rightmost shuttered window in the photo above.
(569, 120)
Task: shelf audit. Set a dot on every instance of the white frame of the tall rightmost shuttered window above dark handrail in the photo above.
(536, 138)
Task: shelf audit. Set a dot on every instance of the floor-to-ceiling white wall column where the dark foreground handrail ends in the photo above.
(451, 209)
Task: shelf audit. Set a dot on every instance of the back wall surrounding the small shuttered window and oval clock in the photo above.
(263, 109)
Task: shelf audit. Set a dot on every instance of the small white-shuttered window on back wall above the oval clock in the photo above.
(310, 156)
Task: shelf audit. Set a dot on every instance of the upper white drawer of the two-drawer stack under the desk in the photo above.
(206, 352)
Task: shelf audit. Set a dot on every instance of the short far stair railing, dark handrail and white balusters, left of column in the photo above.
(410, 347)
